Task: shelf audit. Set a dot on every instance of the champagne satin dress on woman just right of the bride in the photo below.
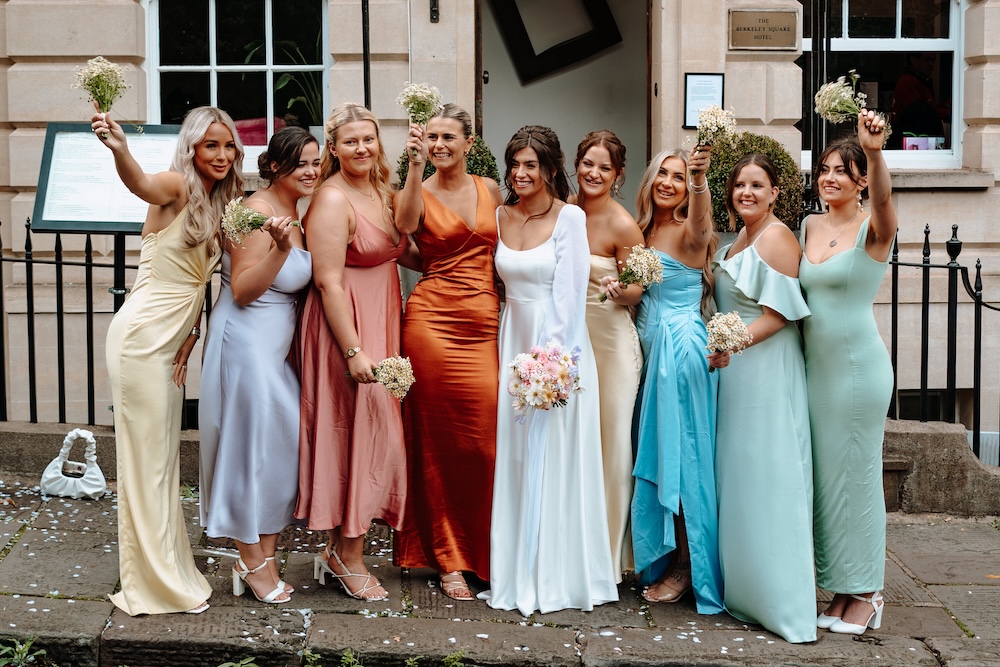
(619, 363)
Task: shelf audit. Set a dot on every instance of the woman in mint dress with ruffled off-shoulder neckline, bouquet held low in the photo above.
(763, 451)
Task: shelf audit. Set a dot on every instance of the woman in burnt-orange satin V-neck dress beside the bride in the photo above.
(450, 335)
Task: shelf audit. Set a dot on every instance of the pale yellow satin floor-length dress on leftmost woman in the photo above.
(157, 569)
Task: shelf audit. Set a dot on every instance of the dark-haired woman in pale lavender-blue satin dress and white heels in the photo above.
(249, 407)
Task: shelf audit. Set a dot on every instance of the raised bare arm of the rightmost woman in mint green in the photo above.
(883, 224)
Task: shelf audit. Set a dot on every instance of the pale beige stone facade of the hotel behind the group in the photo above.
(43, 41)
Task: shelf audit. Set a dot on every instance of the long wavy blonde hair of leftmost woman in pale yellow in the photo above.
(203, 222)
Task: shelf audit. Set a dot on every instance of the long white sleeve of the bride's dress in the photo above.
(568, 307)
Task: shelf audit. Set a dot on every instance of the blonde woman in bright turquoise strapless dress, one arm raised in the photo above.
(674, 513)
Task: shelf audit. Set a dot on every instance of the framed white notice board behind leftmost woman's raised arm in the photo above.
(78, 186)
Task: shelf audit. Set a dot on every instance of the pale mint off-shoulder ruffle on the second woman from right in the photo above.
(768, 287)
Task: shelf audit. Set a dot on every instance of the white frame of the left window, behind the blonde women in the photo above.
(268, 67)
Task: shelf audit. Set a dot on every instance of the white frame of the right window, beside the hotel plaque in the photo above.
(900, 159)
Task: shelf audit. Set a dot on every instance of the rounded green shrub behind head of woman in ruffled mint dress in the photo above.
(727, 151)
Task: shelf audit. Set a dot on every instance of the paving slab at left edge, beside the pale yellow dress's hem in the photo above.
(61, 563)
